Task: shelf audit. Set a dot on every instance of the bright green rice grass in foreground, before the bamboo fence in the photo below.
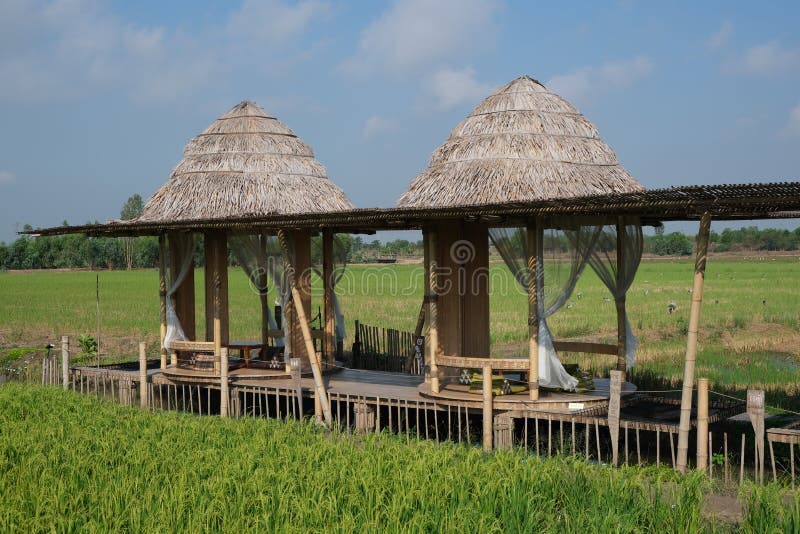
(70, 463)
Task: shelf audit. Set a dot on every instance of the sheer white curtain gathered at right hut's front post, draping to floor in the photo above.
(554, 282)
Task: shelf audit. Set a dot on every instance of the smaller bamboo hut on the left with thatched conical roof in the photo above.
(246, 164)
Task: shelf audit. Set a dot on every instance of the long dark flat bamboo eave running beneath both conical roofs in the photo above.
(780, 200)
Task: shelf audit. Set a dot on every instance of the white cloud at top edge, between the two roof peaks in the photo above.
(413, 34)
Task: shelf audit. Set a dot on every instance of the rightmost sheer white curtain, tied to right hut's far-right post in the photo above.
(618, 278)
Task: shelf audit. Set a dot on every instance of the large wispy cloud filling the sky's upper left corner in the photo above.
(79, 47)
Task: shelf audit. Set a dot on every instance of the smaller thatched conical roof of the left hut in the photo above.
(247, 163)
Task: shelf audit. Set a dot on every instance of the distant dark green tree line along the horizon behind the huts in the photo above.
(79, 251)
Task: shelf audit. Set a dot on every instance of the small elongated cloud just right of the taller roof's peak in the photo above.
(585, 82)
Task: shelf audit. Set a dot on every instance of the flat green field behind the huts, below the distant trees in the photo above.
(750, 323)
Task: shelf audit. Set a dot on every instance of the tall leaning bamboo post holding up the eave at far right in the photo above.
(691, 342)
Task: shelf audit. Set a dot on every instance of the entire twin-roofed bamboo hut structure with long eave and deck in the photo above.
(523, 161)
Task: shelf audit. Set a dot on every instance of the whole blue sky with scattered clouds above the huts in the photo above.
(99, 98)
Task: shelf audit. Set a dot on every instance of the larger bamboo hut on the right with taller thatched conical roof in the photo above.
(523, 143)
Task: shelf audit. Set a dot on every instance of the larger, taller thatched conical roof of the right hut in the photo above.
(523, 143)
